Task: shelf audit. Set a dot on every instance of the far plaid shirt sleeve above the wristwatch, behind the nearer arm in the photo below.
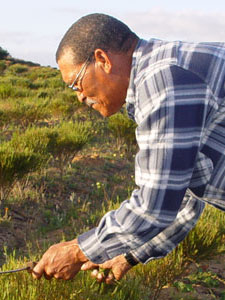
(168, 239)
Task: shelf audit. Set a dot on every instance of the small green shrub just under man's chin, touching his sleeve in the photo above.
(123, 129)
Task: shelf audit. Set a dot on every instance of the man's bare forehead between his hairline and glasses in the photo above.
(67, 66)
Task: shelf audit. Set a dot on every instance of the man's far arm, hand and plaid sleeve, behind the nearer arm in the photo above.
(157, 247)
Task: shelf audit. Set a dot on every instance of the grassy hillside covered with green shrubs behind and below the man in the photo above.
(66, 166)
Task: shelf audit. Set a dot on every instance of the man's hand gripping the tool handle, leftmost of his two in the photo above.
(62, 261)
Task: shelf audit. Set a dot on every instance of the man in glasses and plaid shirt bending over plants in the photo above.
(176, 94)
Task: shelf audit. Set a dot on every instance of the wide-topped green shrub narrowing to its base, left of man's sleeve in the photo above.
(61, 142)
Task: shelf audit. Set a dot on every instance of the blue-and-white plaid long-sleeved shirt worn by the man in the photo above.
(176, 96)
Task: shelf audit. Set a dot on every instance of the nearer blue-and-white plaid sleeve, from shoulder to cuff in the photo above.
(170, 111)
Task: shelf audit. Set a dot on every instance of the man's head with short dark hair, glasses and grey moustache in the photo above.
(95, 56)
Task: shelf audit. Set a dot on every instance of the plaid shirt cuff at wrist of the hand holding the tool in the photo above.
(92, 248)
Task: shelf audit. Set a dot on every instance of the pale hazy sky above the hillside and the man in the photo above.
(32, 30)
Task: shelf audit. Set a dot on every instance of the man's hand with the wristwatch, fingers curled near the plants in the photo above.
(118, 267)
